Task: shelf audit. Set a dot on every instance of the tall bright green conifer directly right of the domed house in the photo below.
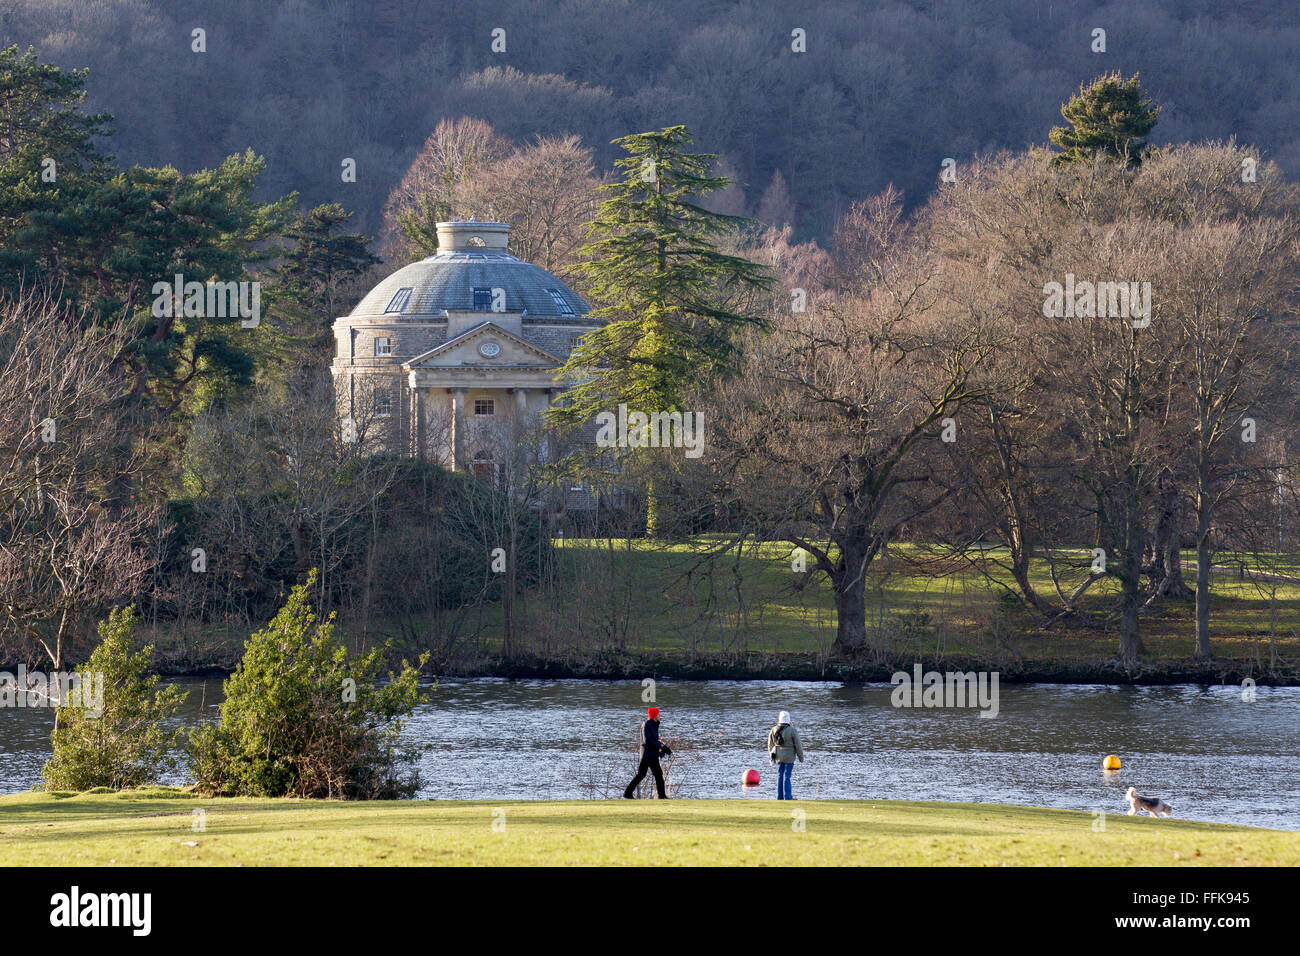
(655, 266)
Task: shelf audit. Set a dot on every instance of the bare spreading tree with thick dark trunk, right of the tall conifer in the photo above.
(829, 435)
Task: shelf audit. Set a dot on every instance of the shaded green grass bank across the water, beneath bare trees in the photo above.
(639, 608)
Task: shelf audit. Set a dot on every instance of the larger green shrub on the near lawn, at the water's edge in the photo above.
(304, 720)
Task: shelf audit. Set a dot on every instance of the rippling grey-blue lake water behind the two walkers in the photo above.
(1212, 755)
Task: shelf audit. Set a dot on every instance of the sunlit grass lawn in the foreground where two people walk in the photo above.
(155, 828)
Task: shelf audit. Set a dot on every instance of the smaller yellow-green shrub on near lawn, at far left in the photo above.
(127, 743)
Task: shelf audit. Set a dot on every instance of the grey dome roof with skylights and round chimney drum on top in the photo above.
(465, 263)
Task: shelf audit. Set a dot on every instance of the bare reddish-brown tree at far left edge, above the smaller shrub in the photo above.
(72, 542)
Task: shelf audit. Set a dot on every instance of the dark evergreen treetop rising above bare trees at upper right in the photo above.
(1110, 118)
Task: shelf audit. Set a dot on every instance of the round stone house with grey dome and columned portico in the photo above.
(453, 360)
